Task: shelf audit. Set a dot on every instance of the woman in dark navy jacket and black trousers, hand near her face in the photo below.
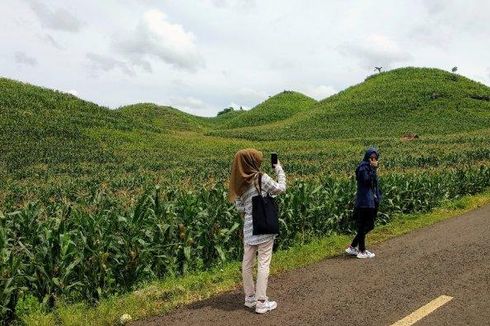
(368, 197)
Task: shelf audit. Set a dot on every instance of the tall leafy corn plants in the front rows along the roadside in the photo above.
(64, 251)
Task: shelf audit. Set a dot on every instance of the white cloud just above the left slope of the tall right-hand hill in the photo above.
(376, 50)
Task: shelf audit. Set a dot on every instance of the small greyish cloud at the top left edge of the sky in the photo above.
(59, 19)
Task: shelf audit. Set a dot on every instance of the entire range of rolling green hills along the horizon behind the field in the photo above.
(42, 126)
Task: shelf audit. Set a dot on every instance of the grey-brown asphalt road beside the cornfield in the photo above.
(450, 258)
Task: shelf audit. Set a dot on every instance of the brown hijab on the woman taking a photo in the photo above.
(246, 166)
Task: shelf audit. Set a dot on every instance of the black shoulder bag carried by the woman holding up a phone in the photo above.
(265, 214)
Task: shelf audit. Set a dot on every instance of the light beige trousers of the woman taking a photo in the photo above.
(264, 260)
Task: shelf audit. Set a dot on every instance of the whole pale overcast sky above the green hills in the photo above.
(202, 56)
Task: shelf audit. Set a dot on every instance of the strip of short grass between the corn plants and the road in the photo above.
(162, 297)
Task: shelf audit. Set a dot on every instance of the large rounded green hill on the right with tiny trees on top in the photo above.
(419, 100)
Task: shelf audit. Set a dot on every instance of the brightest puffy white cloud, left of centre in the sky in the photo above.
(155, 37)
